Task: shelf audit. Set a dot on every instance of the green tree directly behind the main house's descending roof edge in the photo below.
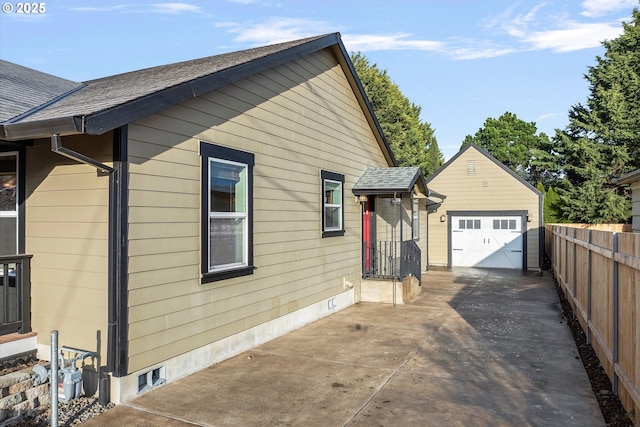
(412, 141)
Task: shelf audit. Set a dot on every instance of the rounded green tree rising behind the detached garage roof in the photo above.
(517, 145)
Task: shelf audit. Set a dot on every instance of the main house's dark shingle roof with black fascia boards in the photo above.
(101, 105)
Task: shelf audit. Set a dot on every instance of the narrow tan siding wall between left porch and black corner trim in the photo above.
(67, 234)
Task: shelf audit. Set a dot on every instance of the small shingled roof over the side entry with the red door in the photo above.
(387, 180)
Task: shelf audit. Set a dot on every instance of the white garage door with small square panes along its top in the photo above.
(487, 241)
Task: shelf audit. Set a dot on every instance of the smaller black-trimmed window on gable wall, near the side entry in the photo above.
(332, 204)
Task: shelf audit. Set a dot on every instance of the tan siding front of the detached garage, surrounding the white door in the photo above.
(488, 188)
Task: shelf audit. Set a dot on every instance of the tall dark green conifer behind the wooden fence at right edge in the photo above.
(601, 141)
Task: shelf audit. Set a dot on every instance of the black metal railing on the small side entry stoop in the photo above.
(391, 260)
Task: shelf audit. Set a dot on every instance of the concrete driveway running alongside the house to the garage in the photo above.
(476, 348)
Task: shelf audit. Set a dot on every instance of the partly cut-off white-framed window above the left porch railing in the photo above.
(8, 203)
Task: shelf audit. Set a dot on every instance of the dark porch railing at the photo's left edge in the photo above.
(15, 294)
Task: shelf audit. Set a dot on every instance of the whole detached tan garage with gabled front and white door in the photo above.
(493, 217)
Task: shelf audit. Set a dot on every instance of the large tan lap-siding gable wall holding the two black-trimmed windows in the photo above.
(298, 119)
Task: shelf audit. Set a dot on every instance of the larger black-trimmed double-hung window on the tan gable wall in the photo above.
(227, 212)
